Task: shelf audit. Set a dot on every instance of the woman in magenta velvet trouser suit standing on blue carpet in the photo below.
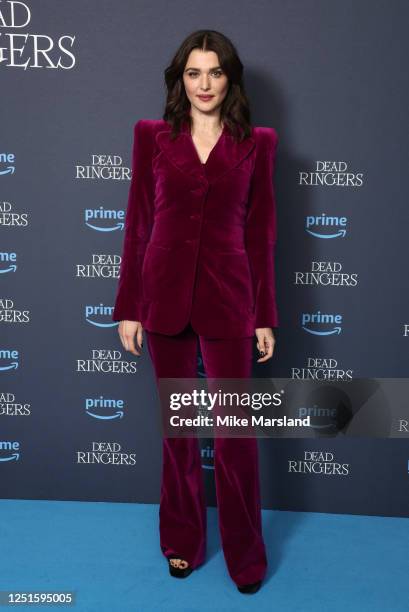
(198, 265)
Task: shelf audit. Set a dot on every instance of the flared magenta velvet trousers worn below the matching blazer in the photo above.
(182, 510)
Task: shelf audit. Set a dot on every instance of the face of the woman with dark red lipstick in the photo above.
(203, 76)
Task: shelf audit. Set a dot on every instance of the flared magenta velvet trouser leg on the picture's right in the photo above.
(236, 467)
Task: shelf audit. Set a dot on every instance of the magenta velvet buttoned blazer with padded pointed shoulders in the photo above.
(199, 238)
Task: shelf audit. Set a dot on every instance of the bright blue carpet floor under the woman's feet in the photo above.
(109, 554)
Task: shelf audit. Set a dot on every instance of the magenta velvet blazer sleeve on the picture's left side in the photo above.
(138, 226)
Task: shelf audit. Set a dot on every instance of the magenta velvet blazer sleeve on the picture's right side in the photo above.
(261, 229)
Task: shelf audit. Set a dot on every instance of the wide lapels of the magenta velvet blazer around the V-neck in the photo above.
(225, 155)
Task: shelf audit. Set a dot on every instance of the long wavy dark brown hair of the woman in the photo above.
(235, 108)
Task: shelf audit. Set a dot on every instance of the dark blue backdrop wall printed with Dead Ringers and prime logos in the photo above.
(79, 415)
